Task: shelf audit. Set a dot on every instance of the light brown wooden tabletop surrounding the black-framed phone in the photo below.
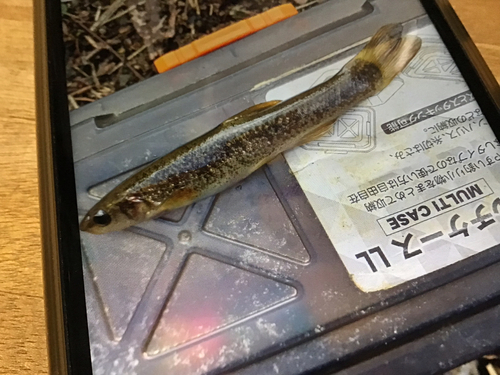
(22, 325)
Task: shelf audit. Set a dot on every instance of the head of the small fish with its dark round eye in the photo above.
(114, 214)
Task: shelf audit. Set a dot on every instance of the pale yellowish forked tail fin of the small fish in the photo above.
(390, 51)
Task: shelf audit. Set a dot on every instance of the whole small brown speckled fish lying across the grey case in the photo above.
(243, 143)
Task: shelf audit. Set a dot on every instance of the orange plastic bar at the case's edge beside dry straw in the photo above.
(224, 37)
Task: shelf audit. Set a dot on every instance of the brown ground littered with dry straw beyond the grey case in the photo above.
(111, 44)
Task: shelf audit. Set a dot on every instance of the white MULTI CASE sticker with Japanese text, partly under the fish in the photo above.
(408, 182)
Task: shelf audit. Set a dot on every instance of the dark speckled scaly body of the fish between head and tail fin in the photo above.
(230, 152)
